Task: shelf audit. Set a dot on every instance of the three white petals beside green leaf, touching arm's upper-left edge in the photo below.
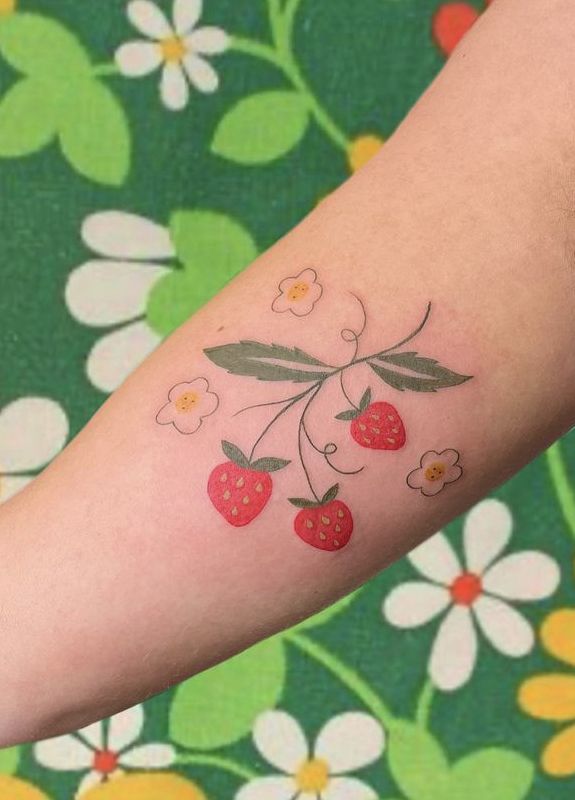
(113, 291)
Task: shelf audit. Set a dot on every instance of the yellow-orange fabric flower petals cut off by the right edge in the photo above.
(552, 696)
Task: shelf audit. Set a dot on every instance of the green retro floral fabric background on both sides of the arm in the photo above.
(148, 152)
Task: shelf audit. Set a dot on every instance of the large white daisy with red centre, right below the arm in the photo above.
(474, 596)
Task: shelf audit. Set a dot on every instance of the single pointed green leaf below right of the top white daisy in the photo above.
(262, 127)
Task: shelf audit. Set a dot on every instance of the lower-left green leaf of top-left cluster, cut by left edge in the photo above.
(27, 118)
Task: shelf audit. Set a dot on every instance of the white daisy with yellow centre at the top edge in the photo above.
(178, 47)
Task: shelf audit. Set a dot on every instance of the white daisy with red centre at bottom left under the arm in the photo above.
(104, 754)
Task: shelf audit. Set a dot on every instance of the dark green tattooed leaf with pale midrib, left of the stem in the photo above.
(260, 361)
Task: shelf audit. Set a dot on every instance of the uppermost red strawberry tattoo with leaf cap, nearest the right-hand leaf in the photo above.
(377, 426)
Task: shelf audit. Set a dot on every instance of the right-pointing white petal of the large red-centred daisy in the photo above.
(528, 575)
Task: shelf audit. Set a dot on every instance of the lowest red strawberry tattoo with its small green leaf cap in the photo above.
(327, 524)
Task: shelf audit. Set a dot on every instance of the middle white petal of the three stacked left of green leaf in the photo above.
(101, 293)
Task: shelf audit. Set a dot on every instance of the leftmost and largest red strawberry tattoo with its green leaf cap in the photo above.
(239, 489)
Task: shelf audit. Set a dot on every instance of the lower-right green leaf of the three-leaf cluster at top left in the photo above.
(94, 133)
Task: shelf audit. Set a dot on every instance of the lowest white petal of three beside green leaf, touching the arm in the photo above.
(116, 355)
